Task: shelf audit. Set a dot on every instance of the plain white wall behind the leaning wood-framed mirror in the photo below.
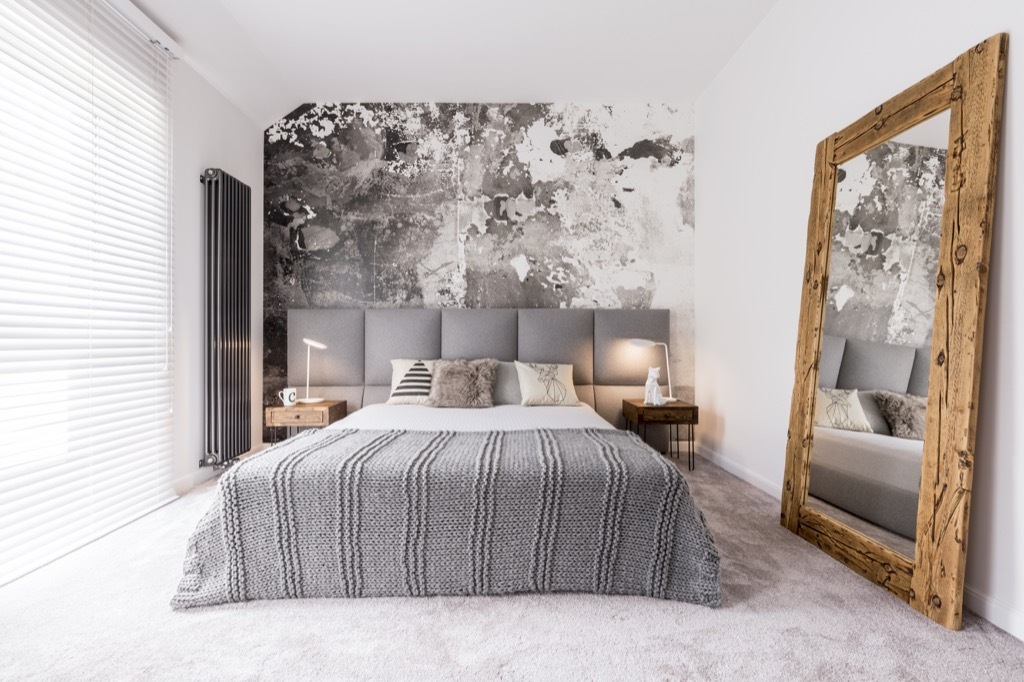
(810, 69)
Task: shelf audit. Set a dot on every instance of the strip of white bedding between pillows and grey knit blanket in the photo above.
(502, 418)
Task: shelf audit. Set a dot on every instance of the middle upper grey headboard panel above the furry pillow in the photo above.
(480, 334)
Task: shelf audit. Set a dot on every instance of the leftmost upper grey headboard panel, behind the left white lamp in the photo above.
(342, 364)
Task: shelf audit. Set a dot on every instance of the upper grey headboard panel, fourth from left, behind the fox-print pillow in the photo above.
(565, 337)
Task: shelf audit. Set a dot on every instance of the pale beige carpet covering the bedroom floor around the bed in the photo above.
(790, 613)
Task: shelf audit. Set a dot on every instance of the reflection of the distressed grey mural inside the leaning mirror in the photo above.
(885, 248)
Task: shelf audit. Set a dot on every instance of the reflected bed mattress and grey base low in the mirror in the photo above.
(874, 477)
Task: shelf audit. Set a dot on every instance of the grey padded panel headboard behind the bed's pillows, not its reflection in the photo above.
(357, 366)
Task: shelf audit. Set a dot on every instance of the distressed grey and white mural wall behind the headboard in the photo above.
(425, 205)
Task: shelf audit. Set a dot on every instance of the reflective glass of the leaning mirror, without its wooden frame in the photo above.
(873, 381)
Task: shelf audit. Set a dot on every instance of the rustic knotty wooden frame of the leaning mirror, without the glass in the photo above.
(933, 583)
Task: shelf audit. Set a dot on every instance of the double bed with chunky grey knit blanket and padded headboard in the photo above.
(417, 501)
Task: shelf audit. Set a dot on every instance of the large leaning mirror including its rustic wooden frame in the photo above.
(881, 444)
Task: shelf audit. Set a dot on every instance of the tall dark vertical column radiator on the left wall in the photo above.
(228, 406)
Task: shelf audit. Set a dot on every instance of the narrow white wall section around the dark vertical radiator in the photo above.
(209, 133)
